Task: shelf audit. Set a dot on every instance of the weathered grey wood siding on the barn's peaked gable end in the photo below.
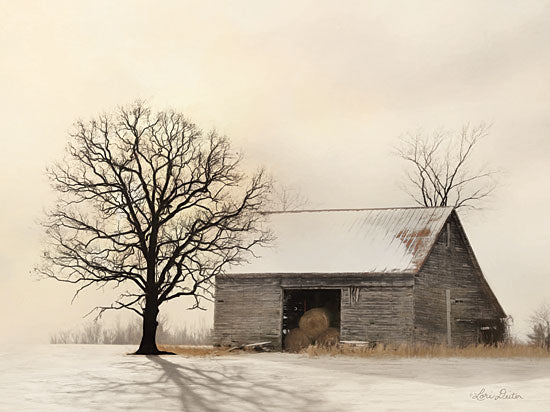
(450, 267)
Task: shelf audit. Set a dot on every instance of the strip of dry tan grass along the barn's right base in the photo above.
(431, 351)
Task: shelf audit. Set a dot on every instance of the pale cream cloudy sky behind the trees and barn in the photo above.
(317, 92)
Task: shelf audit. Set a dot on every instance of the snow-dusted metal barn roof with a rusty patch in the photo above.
(391, 240)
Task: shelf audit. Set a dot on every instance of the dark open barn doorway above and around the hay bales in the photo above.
(298, 301)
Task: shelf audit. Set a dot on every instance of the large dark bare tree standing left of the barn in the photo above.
(150, 204)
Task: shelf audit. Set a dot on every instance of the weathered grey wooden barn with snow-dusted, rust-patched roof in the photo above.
(391, 275)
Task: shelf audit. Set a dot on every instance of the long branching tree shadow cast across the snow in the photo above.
(208, 386)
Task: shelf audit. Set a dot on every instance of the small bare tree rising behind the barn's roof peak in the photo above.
(441, 173)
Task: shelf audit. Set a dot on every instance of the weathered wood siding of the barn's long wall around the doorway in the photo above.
(249, 308)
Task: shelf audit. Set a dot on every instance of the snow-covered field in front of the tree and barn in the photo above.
(104, 378)
